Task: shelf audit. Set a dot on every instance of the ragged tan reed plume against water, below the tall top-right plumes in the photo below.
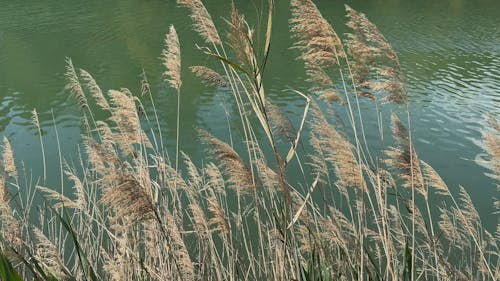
(404, 158)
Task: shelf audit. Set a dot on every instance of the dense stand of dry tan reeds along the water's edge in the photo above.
(132, 212)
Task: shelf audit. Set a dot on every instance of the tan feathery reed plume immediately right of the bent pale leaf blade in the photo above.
(338, 151)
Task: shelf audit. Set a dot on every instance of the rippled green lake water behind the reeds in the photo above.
(450, 51)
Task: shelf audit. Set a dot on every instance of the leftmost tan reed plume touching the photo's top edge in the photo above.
(203, 23)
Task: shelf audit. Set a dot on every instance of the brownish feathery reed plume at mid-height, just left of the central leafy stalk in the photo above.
(239, 176)
